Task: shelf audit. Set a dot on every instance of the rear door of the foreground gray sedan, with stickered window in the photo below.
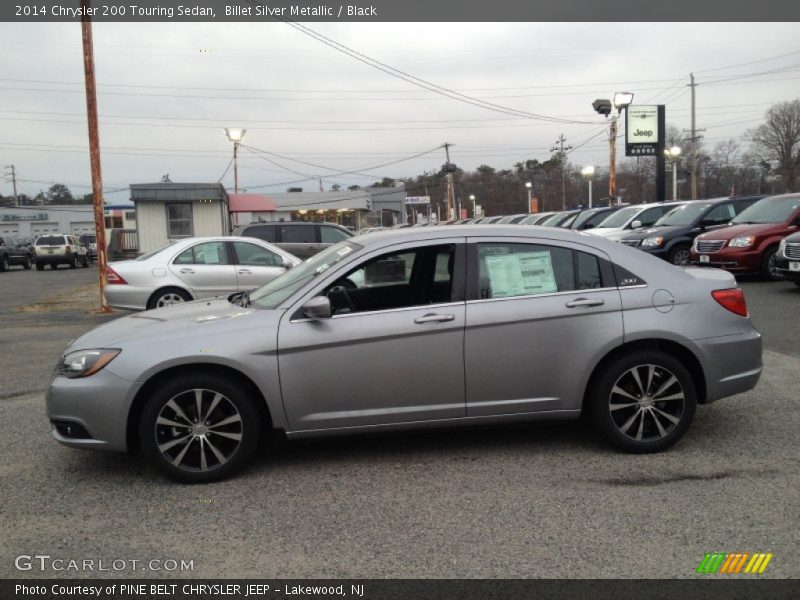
(539, 316)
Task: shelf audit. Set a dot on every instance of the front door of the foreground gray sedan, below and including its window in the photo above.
(392, 352)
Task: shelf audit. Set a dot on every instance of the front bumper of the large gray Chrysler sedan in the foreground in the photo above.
(98, 405)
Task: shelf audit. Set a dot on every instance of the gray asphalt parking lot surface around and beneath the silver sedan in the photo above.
(525, 502)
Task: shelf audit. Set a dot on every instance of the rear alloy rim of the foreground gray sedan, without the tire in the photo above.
(646, 403)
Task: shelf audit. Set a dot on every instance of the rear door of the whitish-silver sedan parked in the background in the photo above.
(205, 269)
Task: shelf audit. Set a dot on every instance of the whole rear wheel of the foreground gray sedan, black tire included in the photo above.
(645, 424)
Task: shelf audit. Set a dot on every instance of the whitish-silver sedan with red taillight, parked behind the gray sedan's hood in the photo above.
(193, 269)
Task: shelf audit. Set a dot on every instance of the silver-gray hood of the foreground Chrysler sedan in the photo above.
(202, 317)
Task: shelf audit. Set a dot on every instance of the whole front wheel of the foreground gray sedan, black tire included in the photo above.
(182, 452)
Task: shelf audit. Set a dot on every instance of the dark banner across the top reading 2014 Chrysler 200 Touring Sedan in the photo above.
(374, 11)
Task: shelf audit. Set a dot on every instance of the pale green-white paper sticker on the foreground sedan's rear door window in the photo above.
(521, 274)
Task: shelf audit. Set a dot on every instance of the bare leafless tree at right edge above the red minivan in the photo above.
(777, 141)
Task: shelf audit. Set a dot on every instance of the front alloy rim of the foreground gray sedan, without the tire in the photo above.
(198, 430)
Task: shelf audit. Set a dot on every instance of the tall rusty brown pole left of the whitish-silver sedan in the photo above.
(94, 150)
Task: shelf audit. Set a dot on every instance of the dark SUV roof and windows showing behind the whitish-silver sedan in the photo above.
(301, 238)
